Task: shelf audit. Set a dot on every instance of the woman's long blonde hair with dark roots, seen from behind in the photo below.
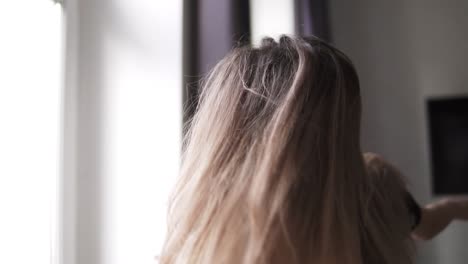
(272, 170)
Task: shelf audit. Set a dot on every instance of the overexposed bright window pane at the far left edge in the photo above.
(30, 103)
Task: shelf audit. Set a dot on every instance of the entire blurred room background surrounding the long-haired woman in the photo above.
(93, 95)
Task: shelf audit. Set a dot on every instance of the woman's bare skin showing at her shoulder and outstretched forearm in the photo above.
(435, 216)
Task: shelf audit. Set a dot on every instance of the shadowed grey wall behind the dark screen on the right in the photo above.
(406, 51)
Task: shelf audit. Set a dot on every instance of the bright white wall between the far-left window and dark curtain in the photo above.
(122, 128)
